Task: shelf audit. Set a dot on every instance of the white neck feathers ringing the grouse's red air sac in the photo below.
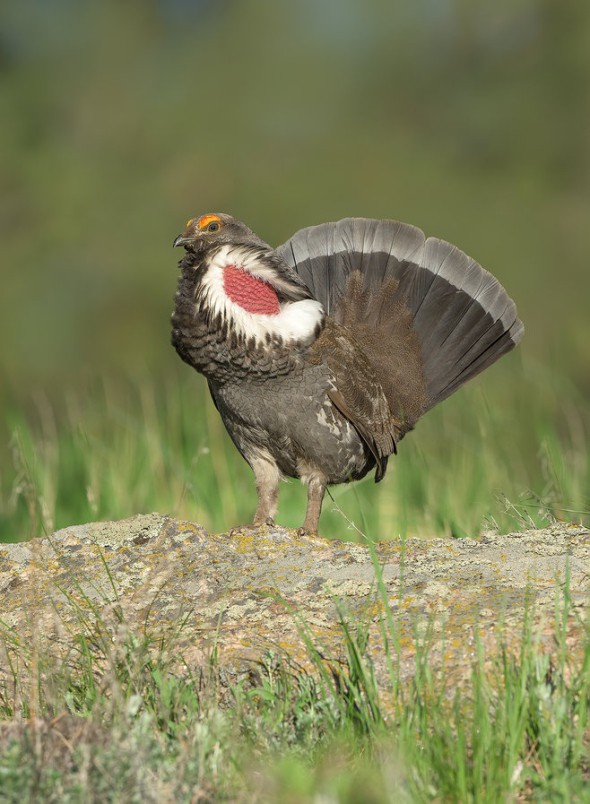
(295, 321)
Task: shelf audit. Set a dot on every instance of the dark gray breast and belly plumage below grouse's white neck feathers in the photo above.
(273, 398)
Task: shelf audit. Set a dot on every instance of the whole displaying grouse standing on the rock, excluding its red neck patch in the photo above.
(404, 321)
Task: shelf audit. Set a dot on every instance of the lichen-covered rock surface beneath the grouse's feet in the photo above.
(252, 591)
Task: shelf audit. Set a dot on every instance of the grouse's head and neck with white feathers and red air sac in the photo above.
(230, 276)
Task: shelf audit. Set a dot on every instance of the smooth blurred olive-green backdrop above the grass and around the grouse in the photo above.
(470, 119)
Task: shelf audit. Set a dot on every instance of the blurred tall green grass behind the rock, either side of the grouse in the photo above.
(506, 454)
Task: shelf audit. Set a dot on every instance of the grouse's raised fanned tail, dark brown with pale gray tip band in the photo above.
(431, 317)
